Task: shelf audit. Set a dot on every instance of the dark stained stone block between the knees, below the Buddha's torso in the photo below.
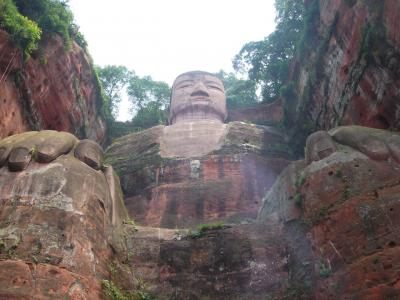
(219, 264)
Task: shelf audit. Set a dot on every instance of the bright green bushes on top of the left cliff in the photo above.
(29, 21)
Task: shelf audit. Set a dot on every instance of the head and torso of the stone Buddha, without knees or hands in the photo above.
(197, 169)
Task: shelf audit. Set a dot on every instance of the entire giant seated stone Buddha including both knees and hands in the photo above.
(63, 222)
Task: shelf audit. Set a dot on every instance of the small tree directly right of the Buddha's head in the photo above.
(239, 92)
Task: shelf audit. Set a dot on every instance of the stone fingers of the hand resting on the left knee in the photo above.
(45, 146)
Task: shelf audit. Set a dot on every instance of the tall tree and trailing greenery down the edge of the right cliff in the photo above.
(268, 62)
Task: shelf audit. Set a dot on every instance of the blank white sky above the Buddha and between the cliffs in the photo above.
(166, 38)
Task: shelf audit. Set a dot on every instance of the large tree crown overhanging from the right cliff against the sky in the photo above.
(267, 61)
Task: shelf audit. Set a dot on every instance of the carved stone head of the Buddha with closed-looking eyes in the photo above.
(197, 95)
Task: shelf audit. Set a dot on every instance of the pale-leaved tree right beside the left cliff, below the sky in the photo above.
(113, 79)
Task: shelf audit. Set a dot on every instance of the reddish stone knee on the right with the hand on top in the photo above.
(345, 198)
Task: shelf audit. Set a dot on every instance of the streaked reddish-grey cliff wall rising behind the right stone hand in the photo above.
(348, 71)
